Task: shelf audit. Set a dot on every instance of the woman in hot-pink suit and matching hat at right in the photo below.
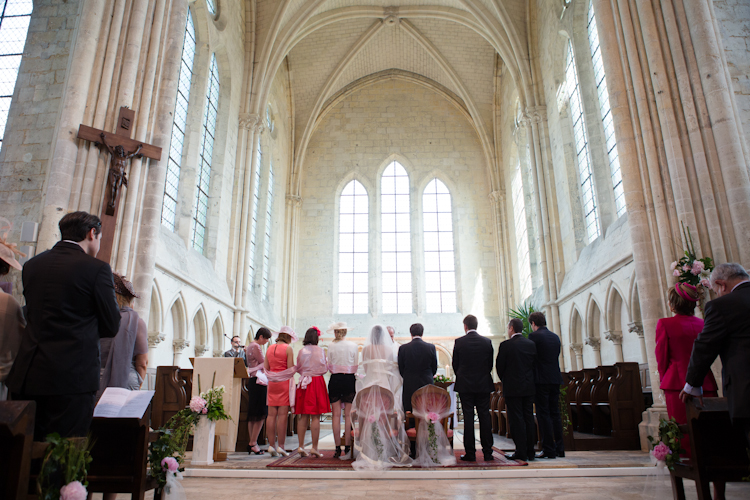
(674, 343)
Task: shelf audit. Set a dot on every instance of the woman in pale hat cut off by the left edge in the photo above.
(12, 322)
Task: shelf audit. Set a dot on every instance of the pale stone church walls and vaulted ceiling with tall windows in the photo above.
(387, 162)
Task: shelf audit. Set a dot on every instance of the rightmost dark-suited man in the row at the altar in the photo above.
(547, 379)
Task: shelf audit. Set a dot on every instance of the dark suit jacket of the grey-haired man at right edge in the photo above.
(726, 333)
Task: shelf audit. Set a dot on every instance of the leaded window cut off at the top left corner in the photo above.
(14, 25)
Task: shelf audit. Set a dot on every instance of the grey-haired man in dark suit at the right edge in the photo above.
(726, 333)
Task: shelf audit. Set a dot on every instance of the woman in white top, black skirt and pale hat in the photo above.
(342, 363)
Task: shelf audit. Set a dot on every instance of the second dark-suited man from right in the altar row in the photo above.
(515, 367)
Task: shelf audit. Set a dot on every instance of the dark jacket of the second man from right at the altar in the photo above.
(515, 366)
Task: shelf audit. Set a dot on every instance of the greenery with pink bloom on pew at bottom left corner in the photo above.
(64, 469)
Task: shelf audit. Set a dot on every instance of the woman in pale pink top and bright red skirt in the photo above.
(311, 400)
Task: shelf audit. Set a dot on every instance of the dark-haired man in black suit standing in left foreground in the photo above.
(71, 304)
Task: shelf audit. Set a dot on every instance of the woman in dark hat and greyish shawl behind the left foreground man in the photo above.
(125, 356)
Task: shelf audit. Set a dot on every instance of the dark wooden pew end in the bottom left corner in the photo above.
(16, 437)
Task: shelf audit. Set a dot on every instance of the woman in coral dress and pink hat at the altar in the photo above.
(279, 358)
